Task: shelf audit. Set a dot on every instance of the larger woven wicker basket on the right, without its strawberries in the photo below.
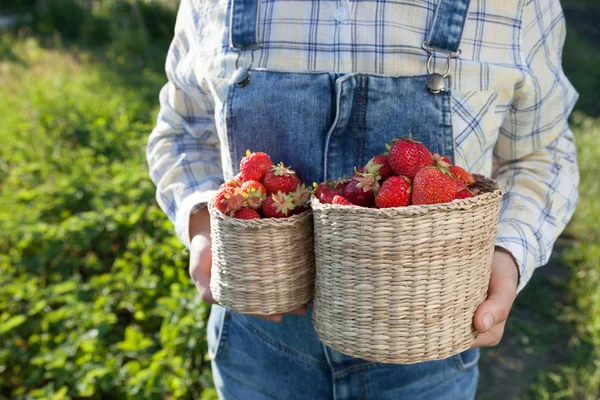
(401, 285)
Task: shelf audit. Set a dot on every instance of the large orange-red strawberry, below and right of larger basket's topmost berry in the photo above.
(433, 185)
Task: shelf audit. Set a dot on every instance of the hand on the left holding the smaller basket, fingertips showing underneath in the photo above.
(201, 262)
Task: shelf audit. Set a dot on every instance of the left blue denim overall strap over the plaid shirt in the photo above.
(242, 28)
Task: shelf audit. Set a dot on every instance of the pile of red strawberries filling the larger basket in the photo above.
(407, 174)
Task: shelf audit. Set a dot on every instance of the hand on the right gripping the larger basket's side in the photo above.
(490, 317)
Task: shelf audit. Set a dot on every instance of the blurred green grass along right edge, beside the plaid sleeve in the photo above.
(580, 379)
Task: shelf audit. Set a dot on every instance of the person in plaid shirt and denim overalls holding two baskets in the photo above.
(321, 85)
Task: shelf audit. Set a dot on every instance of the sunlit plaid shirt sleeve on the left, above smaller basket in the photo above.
(183, 150)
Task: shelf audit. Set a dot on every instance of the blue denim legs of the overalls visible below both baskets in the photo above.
(253, 359)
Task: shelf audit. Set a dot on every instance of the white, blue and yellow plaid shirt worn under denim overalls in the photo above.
(510, 98)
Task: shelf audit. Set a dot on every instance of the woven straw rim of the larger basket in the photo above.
(455, 205)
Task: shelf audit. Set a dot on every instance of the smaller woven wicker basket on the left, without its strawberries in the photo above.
(262, 266)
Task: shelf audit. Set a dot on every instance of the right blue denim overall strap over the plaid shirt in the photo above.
(448, 25)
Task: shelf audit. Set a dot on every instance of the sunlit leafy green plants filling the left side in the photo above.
(95, 299)
